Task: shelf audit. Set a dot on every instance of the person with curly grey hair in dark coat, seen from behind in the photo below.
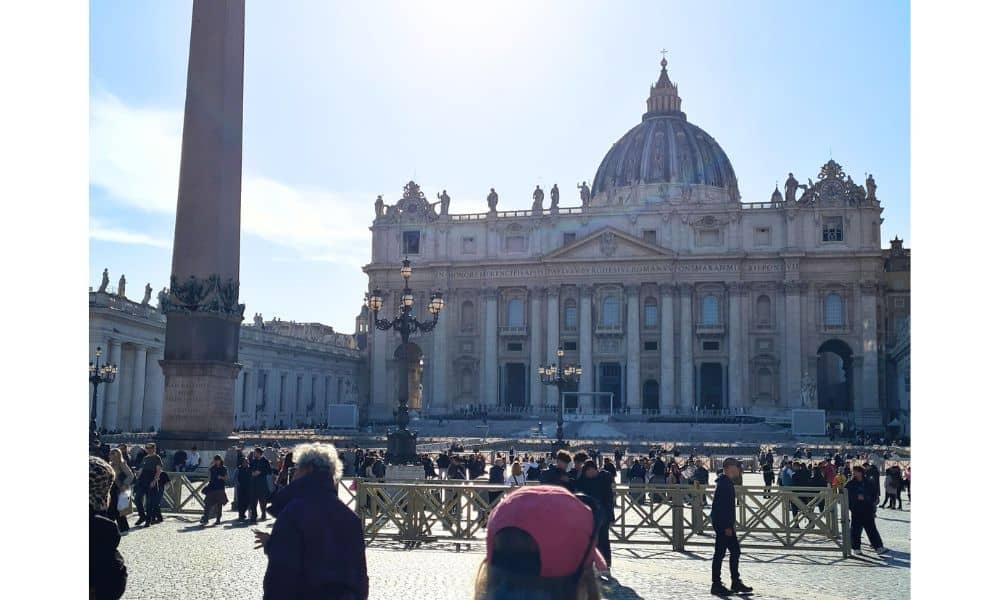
(316, 548)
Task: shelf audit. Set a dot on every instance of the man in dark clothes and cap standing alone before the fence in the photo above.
(724, 524)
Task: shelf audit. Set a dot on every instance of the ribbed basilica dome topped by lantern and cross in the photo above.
(665, 149)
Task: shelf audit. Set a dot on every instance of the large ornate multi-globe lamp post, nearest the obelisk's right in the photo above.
(402, 443)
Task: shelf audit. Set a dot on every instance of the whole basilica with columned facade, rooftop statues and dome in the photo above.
(671, 292)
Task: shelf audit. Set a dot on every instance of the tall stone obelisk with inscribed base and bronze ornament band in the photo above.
(202, 306)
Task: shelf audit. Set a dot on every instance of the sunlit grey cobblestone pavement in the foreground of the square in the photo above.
(180, 559)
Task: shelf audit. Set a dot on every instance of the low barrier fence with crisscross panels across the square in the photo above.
(810, 519)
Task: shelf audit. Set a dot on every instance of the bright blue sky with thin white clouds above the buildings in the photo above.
(344, 101)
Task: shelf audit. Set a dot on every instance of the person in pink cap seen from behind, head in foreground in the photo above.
(541, 545)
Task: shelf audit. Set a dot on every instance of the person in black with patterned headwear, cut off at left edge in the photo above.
(108, 575)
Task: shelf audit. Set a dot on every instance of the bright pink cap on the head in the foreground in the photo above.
(559, 523)
